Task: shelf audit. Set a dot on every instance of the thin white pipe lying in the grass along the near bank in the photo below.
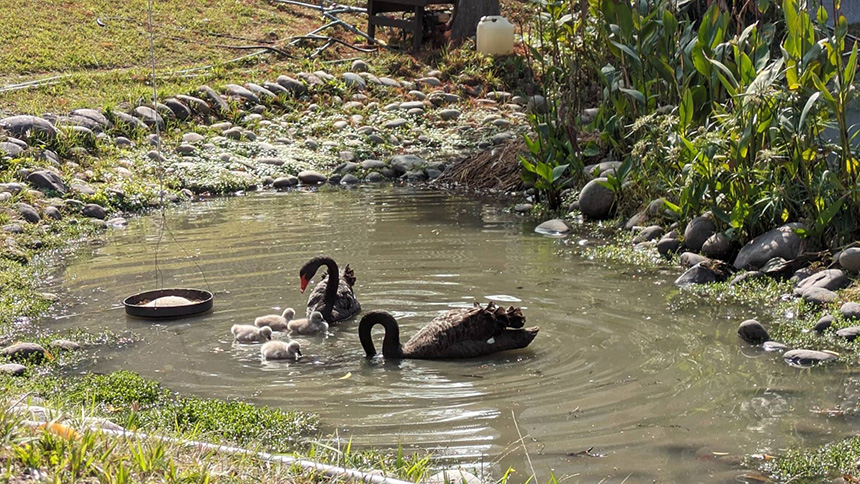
(329, 470)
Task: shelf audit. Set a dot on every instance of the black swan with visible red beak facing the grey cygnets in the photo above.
(333, 297)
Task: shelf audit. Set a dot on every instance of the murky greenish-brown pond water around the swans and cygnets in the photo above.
(661, 390)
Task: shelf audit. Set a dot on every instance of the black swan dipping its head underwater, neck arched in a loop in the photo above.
(459, 333)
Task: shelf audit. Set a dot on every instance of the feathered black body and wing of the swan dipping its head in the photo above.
(466, 333)
